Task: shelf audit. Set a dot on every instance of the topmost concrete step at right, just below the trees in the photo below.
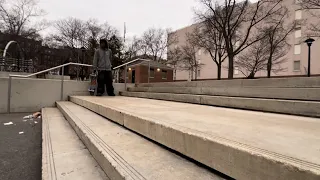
(305, 82)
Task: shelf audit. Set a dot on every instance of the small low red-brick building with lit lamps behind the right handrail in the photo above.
(138, 72)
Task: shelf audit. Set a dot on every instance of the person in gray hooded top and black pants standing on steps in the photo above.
(102, 63)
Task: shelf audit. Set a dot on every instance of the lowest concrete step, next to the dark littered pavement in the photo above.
(64, 156)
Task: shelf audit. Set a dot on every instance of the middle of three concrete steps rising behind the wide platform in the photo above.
(312, 94)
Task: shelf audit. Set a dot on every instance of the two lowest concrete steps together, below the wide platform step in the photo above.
(120, 153)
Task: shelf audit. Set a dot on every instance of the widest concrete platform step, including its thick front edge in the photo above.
(242, 144)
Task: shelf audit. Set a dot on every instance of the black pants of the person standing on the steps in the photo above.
(105, 78)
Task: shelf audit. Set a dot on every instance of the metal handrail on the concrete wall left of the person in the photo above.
(40, 72)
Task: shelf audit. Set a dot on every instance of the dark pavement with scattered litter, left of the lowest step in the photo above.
(20, 154)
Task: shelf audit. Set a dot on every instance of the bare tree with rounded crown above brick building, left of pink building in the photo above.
(155, 42)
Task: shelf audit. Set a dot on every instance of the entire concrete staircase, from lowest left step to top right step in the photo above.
(135, 138)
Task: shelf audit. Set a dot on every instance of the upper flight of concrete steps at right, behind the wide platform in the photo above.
(296, 96)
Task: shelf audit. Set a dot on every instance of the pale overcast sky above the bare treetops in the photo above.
(138, 14)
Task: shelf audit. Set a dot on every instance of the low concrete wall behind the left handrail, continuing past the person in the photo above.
(30, 95)
